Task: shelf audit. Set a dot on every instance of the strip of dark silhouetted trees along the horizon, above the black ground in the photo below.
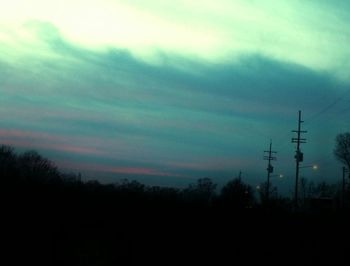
(29, 171)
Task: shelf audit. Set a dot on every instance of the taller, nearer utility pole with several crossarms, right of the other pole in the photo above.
(299, 156)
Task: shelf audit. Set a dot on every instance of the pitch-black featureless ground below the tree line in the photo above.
(59, 228)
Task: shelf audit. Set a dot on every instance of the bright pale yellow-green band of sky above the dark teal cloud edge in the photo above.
(311, 34)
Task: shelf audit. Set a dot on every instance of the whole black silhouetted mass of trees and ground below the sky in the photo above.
(55, 218)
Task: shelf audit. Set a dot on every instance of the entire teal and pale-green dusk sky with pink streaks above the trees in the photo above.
(167, 92)
